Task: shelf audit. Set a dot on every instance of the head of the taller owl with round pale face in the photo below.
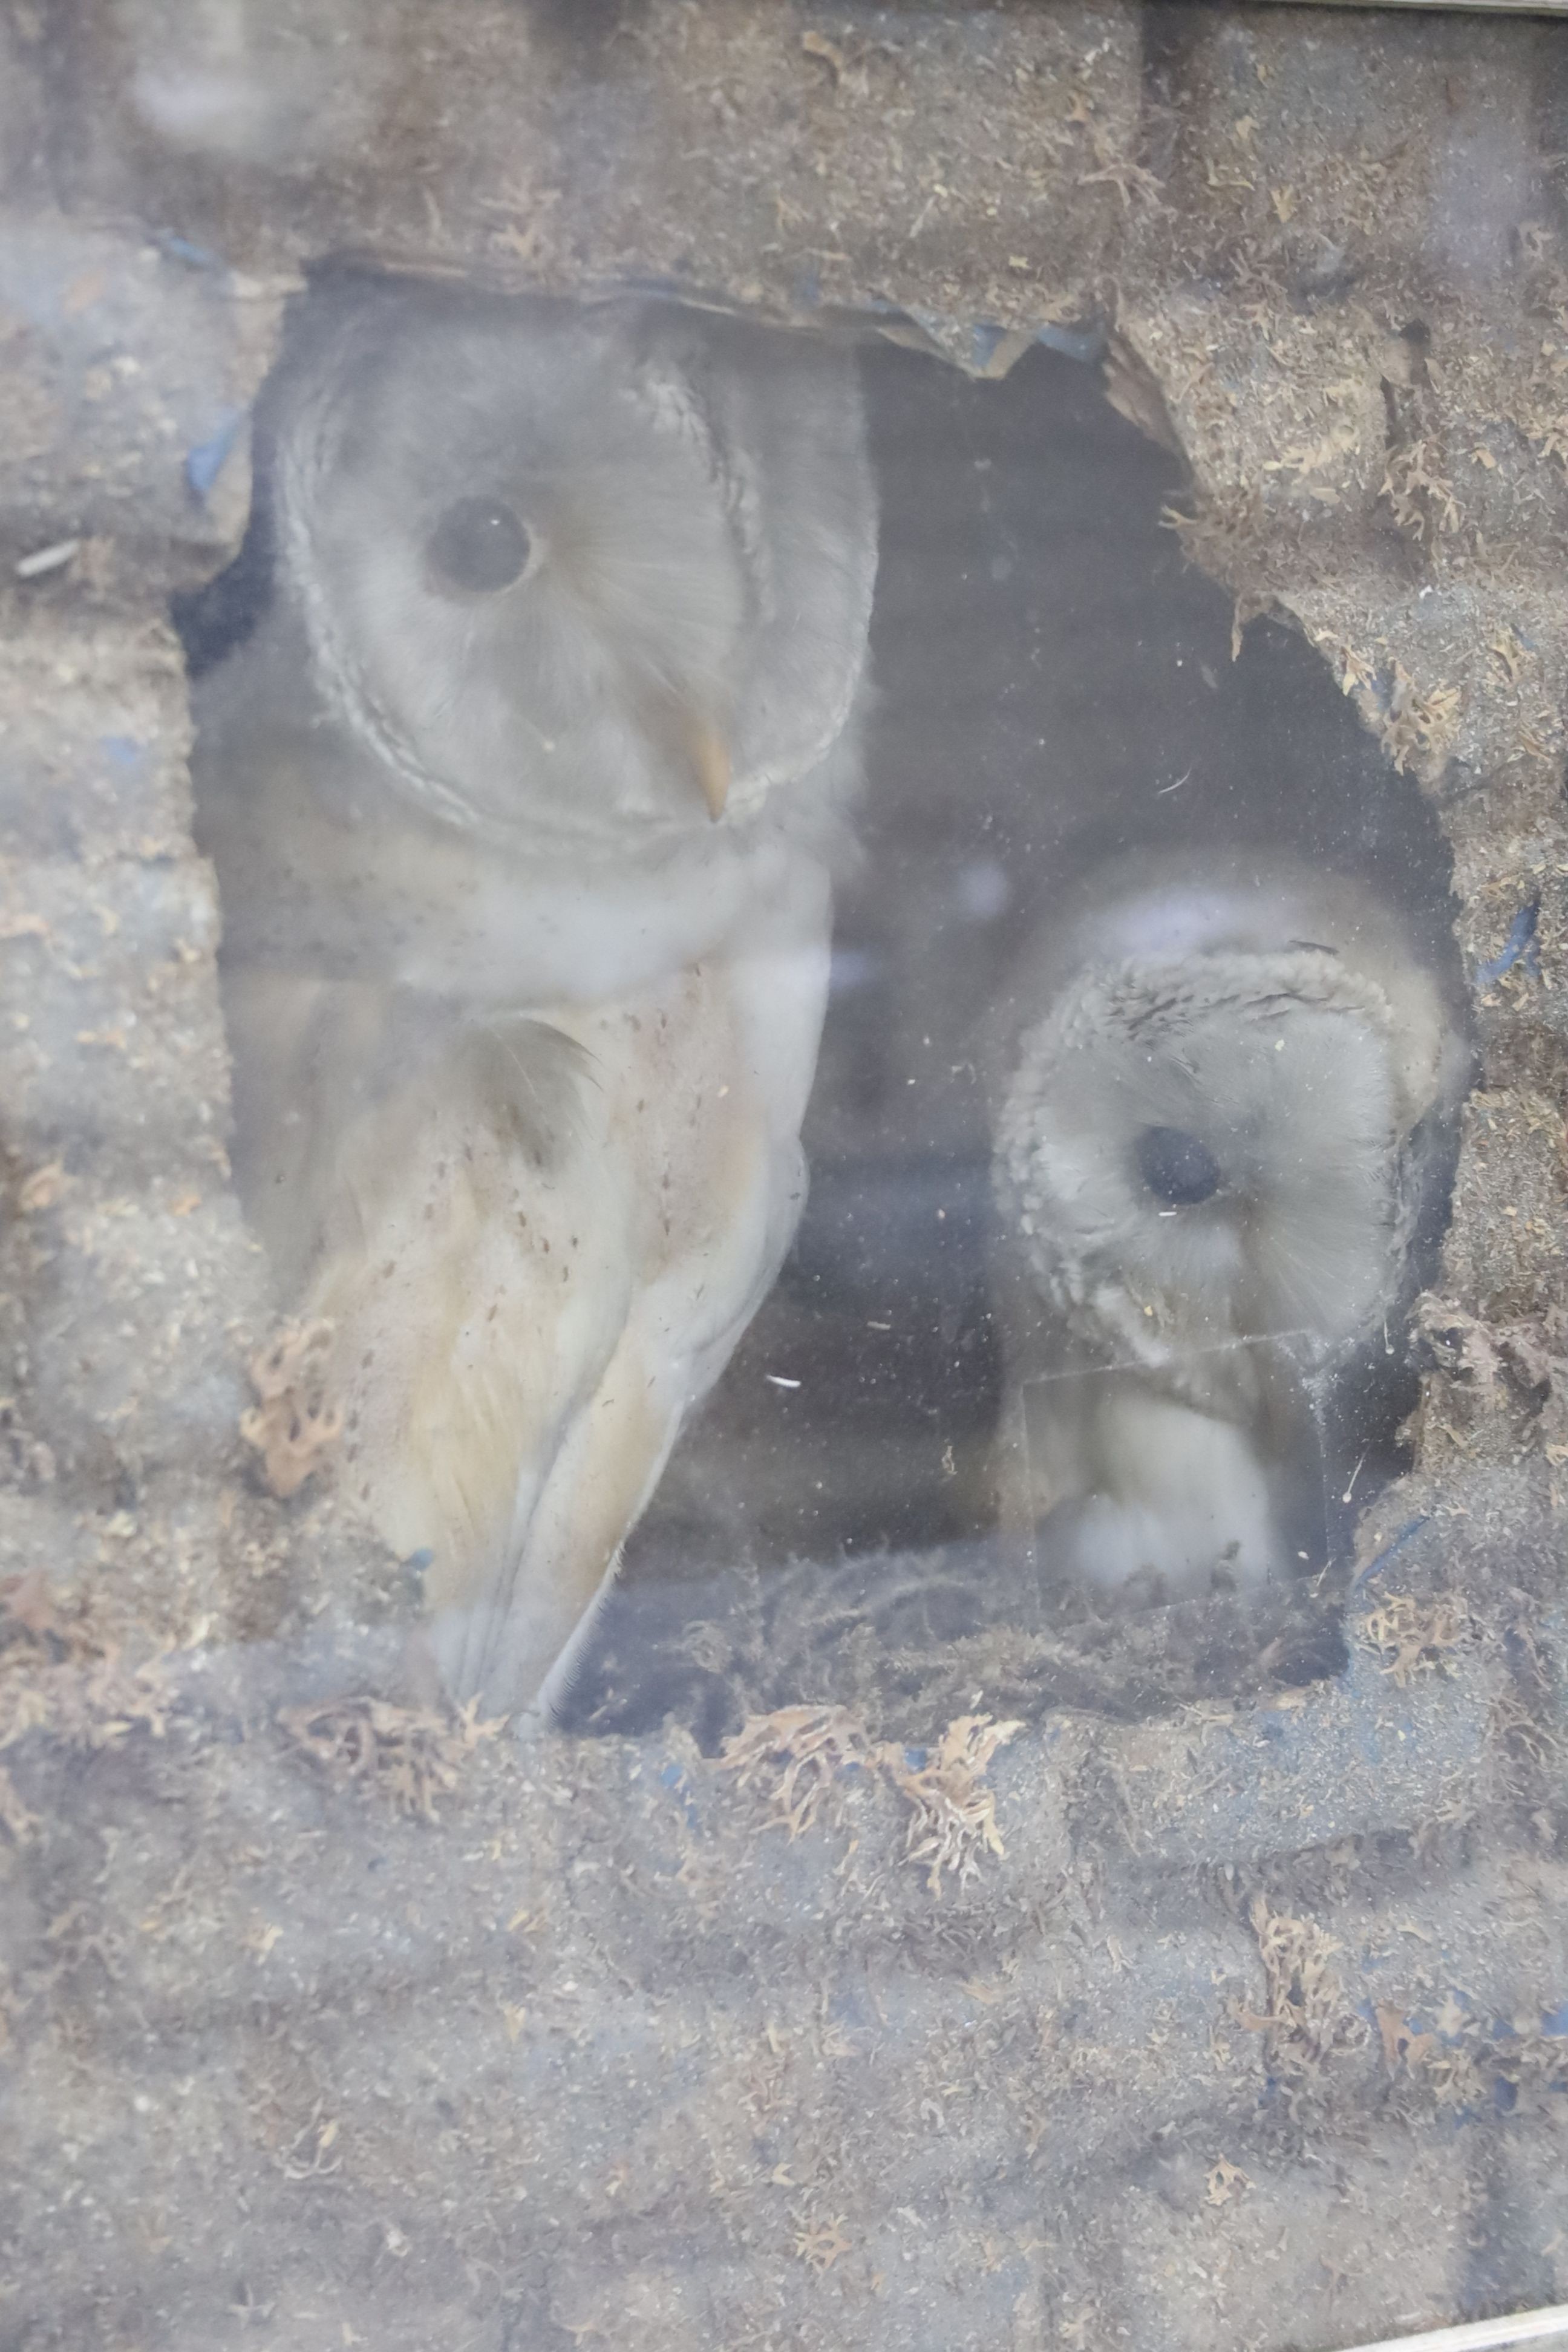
(579, 577)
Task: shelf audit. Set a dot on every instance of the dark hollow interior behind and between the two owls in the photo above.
(1054, 688)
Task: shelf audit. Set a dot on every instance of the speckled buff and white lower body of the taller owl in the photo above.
(537, 1255)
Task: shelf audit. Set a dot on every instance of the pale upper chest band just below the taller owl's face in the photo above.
(330, 871)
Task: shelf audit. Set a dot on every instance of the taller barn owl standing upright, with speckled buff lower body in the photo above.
(525, 803)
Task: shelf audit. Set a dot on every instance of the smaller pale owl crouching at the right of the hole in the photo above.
(1219, 1104)
